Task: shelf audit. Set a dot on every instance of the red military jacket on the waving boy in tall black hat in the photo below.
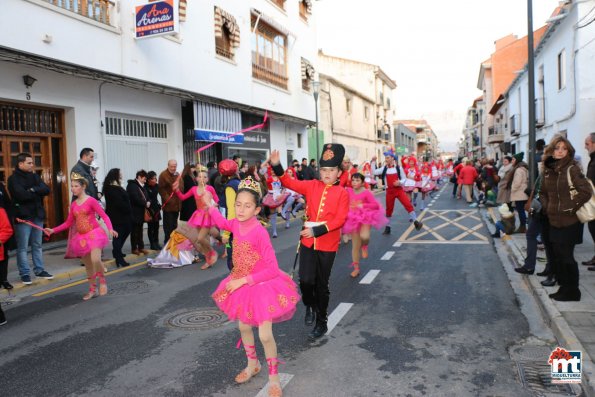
(324, 203)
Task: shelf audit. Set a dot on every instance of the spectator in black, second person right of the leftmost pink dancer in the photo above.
(139, 201)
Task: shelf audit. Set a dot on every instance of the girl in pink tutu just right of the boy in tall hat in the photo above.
(364, 212)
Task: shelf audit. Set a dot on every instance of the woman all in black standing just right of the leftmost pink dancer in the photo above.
(117, 207)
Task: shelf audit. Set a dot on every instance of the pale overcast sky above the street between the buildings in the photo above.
(431, 48)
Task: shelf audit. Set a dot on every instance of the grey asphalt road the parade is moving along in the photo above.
(437, 320)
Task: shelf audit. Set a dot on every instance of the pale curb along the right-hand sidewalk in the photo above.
(552, 316)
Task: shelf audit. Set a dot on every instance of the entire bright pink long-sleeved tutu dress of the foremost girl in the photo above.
(270, 294)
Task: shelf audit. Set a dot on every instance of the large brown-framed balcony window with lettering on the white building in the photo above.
(269, 54)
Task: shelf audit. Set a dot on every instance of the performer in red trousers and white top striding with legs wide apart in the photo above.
(391, 178)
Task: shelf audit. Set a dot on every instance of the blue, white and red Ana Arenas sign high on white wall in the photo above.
(156, 19)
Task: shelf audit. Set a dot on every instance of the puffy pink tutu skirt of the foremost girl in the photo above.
(272, 300)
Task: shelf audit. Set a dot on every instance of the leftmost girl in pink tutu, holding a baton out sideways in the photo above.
(87, 238)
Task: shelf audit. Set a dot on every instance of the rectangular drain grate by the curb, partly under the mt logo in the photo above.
(536, 376)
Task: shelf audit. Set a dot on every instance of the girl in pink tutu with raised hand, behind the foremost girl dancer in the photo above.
(200, 219)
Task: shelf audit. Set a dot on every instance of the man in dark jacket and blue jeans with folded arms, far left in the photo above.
(27, 191)
